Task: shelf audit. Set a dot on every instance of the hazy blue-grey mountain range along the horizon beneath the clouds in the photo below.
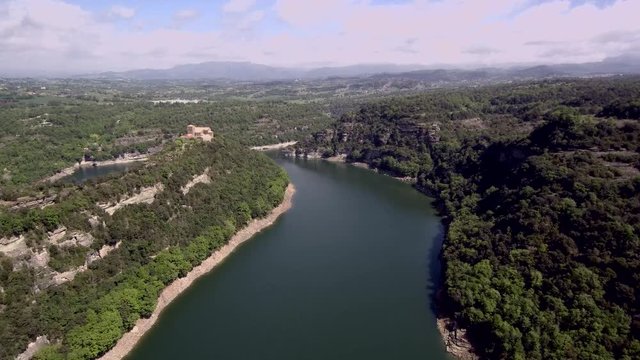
(247, 71)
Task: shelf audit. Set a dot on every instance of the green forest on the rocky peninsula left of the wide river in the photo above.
(151, 244)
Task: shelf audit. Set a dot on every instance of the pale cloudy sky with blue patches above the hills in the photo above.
(82, 36)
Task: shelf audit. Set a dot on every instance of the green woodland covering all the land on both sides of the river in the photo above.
(538, 184)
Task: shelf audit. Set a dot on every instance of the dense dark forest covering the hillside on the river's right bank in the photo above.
(539, 186)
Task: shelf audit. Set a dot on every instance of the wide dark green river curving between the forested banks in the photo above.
(347, 273)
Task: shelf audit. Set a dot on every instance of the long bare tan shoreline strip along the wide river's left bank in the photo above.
(130, 339)
